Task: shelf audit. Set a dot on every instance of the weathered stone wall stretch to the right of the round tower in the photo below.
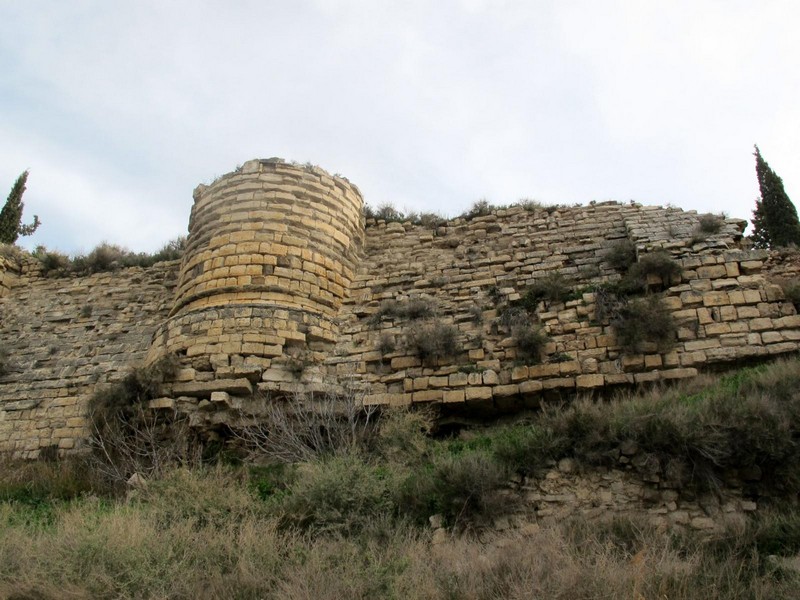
(725, 310)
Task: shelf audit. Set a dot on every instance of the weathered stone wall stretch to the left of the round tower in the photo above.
(63, 338)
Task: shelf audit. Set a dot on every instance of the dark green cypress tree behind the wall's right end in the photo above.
(775, 221)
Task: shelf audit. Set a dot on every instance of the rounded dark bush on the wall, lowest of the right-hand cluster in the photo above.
(644, 321)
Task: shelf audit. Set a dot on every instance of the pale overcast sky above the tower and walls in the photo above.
(119, 109)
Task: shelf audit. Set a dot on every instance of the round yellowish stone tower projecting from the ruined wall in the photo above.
(271, 253)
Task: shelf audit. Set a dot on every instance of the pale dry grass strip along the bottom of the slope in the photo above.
(129, 550)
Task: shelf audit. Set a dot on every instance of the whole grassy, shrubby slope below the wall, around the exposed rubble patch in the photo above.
(353, 524)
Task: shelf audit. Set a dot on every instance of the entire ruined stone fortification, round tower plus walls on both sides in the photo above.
(282, 290)
